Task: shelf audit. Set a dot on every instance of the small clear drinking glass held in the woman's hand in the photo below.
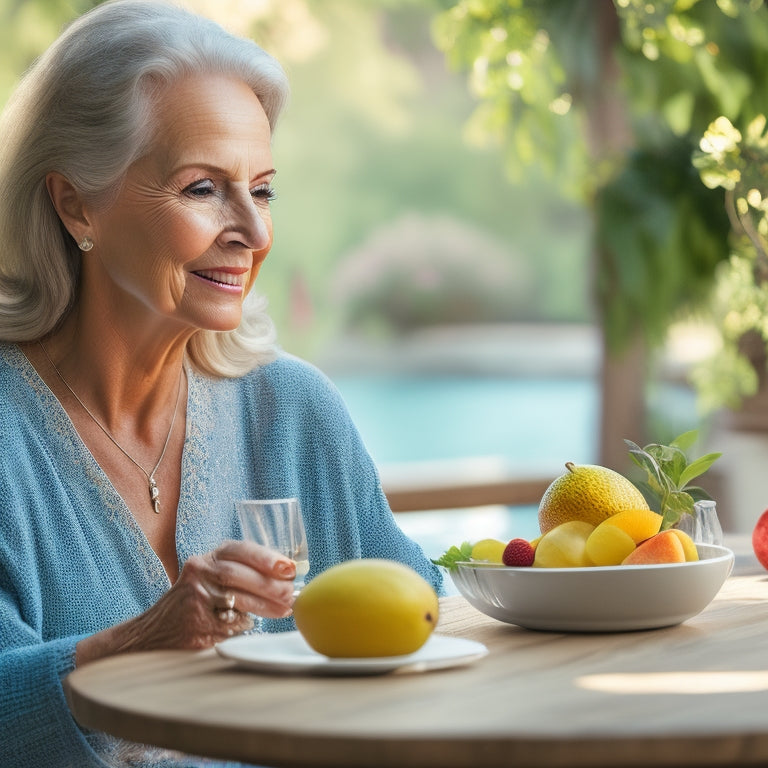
(277, 524)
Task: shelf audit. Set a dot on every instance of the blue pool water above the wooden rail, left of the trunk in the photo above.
(407, 418)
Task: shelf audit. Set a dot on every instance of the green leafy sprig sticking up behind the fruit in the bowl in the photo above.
(668, 475)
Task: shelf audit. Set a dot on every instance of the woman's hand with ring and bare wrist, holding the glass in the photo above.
(209, 602)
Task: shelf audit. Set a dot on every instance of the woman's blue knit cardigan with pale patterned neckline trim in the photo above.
(73, 559)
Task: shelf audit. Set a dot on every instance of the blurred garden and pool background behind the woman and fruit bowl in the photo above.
(515, 232)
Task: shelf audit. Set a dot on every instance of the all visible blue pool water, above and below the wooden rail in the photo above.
(527, 423)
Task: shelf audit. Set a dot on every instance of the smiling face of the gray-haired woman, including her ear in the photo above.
(186, 236)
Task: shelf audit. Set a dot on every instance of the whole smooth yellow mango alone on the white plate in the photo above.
(366, 608)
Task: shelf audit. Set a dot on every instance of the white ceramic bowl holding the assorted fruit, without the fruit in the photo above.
(601, 599)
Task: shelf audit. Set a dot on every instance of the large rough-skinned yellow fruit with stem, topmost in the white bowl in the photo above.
(588, 493)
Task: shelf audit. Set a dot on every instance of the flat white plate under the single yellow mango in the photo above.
(288, 652)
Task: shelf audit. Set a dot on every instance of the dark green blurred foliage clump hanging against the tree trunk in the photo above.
(660, 236)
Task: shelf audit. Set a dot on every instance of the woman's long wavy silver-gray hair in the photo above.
(85, 110)
